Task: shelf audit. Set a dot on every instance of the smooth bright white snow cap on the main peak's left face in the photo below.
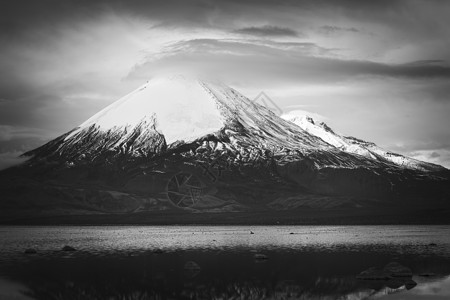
(178, 106)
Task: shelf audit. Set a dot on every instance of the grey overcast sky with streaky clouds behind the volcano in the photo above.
(376, 70)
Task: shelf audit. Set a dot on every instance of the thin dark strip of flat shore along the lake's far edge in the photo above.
(177, 218)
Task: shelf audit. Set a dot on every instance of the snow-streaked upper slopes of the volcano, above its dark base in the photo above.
(168, 112)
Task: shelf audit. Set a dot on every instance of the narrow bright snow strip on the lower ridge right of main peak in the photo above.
(356, 146)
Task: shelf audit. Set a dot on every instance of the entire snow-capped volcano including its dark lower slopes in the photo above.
(178, 149)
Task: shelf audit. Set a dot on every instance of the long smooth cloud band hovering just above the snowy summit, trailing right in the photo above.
(276, 62)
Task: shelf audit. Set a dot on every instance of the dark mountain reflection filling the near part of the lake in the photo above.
(164, 276)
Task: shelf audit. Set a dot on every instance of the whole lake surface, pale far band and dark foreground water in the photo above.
(214, 262)
